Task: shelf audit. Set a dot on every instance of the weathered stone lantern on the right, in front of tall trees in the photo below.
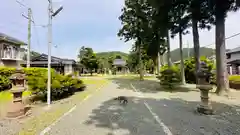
(204, 86)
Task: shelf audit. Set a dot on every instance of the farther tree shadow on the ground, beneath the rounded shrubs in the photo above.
(146, 86)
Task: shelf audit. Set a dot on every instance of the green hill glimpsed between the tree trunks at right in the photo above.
(175, 54)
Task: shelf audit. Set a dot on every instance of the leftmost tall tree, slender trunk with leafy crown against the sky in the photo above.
(135, 25)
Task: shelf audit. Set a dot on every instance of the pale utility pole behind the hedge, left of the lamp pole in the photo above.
(29, 36)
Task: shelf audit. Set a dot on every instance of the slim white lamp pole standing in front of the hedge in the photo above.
(49, 51)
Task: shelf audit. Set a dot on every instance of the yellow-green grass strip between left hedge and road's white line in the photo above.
(38, 123)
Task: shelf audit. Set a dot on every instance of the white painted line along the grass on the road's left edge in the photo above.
(47, 129)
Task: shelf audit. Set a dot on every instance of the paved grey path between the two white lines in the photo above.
(100, 115)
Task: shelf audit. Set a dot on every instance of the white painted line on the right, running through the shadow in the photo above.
(161, 124)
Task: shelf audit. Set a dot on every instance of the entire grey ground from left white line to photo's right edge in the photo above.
(150, 111)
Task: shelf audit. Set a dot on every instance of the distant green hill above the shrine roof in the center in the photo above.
(112, 54)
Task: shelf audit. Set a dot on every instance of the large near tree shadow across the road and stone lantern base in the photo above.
(177, 114)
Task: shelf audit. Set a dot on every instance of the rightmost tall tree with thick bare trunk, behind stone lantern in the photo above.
(220, 10)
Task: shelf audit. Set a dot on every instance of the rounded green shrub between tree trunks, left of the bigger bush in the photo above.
(170, 76)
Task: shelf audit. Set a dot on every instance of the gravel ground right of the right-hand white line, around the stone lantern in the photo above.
(177, 110)
